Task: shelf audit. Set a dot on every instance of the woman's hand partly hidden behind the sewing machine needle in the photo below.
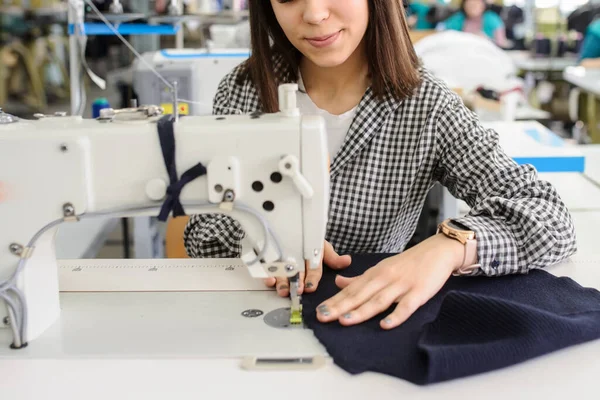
(309, 281)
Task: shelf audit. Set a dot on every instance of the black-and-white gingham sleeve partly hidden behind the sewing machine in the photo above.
(215, 235)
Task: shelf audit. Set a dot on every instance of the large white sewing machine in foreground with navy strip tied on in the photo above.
(61, 169)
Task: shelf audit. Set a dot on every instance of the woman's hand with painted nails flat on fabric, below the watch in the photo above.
(410, 279)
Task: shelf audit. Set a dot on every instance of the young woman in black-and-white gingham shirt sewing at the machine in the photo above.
(394, 130)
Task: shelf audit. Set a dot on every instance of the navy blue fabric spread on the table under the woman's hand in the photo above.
(473, 325)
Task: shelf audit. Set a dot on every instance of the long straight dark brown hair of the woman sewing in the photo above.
(393, 63)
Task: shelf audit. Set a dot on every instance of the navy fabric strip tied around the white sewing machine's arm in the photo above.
(166, 135)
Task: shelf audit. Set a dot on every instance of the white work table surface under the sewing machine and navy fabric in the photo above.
(188, 346)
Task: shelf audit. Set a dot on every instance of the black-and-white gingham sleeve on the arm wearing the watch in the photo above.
(520, 221)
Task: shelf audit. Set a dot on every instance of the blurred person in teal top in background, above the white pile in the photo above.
(474, 17)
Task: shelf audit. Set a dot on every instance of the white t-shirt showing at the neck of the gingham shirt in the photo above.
(337, 125)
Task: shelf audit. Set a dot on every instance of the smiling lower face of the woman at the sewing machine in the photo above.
(327, 32)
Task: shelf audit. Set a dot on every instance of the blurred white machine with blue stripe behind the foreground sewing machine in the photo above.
(198, 73)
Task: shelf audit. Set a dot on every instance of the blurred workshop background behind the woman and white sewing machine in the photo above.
(529, 68)
